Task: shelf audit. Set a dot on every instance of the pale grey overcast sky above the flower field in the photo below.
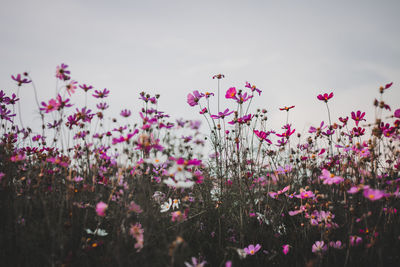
(292, 50)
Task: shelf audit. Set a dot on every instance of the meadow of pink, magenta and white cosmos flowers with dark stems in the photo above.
(147, 191)
